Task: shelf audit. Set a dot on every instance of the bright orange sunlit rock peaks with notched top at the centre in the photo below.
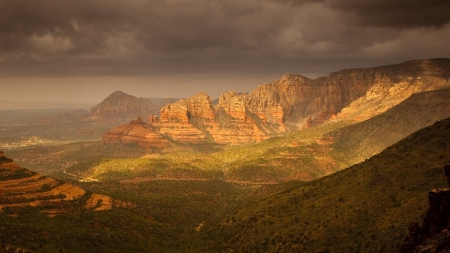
(196, 119)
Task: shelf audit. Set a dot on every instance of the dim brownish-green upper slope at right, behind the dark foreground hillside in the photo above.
(360, 141)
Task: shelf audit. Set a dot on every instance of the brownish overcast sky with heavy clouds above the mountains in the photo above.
(83, 50)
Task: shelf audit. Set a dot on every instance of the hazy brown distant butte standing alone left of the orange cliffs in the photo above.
(123, 107)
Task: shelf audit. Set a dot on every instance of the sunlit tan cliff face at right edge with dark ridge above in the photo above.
(394, 84)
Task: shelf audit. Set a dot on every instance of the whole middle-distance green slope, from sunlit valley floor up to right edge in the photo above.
(305, 155)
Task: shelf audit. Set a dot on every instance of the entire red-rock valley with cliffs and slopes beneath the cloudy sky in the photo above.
(341, 163)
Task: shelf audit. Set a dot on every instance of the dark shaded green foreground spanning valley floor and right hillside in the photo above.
(365, 208)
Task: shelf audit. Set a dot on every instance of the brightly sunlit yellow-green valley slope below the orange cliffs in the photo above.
(297, 156)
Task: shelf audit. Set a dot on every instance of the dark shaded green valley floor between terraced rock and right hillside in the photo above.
(161, 216)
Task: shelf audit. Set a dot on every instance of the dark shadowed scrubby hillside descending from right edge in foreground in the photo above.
(365, 208)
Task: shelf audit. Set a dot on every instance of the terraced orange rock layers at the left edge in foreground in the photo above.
(20, 188)
